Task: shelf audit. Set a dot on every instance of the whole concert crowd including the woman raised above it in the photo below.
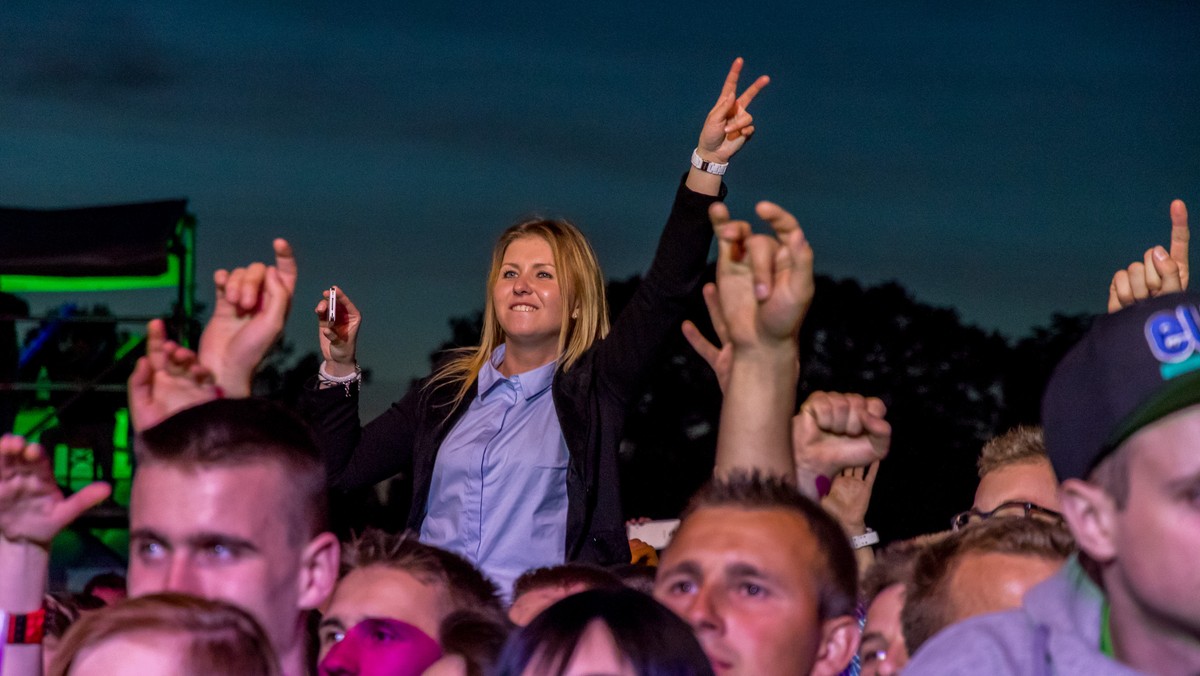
(1077, 558)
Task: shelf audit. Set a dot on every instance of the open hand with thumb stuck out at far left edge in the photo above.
(32, 506)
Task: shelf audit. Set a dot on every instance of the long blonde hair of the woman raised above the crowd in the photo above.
(585, 308)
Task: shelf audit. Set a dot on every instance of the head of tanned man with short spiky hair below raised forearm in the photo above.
(766, 579)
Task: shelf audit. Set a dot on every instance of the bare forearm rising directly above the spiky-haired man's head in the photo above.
(755, 432)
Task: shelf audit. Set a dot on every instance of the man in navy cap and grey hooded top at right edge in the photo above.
(1123, 429)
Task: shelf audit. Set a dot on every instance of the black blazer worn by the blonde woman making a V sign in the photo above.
(591, 402)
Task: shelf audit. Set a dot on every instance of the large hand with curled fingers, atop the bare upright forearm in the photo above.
(765, 285)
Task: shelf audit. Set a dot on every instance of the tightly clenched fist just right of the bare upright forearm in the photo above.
(835, 432)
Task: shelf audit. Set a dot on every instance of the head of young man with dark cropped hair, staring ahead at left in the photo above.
(229, 502)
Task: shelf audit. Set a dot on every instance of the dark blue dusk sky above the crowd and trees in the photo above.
(1001, 159)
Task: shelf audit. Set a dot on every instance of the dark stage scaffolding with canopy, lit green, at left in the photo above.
(85, 253)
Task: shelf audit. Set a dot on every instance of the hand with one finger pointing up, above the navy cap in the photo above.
(1160, 271)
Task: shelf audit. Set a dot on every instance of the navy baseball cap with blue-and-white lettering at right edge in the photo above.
(1131, 369)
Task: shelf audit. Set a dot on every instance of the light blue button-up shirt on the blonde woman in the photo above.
(499, 494)
